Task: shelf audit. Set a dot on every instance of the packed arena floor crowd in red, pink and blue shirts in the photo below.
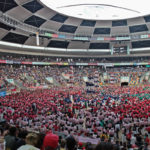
(118, 115)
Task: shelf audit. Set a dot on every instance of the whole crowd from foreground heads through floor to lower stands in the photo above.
(69, 118)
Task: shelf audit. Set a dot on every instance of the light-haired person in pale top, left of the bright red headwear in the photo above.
(31, 142)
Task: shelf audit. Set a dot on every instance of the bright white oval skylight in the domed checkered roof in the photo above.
(100, 9)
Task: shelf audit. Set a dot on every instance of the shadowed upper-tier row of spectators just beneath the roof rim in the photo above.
(30, 58)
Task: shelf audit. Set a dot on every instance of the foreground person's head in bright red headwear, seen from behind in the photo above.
(50, 141)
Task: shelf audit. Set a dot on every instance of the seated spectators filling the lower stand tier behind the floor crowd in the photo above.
(34, 75)
